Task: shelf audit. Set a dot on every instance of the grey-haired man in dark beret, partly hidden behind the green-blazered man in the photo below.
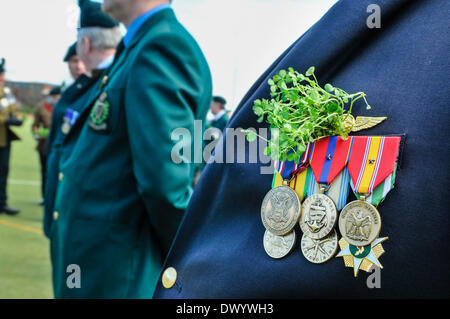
(98, 38)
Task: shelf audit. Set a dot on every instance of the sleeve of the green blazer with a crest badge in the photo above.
(161, 96)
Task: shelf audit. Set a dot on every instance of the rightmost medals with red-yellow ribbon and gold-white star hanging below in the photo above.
(371, 166)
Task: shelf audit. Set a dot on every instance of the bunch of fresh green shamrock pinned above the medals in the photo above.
(302, 112)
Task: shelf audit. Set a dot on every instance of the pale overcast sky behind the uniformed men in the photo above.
(240, 38)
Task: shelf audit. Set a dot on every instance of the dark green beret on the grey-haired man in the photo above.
(93, 16)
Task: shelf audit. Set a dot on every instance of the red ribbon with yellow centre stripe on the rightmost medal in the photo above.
(371, 161)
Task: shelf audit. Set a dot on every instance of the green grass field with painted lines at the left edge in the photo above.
(25, 270)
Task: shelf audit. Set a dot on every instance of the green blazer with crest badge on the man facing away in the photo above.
(120, 197)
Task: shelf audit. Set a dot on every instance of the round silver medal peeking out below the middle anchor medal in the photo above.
(321, 250)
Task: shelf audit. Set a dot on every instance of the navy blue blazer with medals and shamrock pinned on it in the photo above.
(404, 69)
